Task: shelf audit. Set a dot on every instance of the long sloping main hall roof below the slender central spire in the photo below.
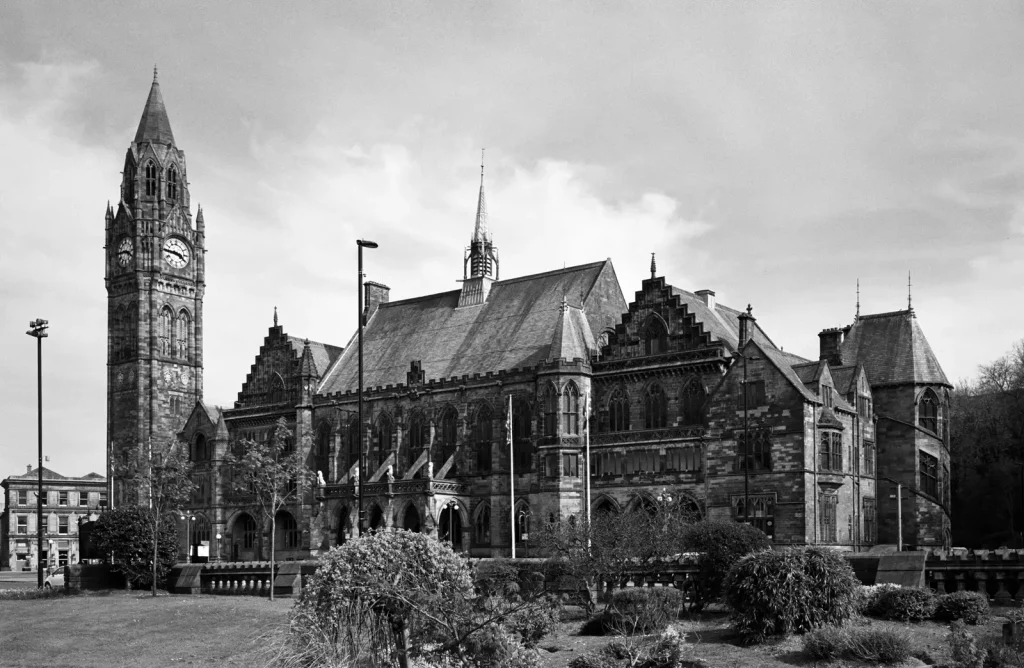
(522, 324)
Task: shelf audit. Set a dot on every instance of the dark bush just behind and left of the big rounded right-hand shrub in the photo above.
(720, 545)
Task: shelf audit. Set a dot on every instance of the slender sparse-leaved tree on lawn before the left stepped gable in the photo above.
(272, 474)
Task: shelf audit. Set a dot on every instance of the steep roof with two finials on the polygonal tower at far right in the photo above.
(893, 350)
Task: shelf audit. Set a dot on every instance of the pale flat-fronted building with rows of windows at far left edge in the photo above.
(66, 502)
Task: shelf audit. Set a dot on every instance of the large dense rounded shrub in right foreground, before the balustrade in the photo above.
(775, 593)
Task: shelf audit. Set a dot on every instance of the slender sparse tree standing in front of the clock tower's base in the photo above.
(160, 476)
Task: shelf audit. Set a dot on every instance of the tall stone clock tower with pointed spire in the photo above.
(155, 277)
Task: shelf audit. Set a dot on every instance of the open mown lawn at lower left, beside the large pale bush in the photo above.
(107, 630)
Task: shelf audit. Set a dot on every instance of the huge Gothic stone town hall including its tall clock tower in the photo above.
(676, 395)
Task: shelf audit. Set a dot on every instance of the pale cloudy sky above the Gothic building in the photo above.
(776, 153)
